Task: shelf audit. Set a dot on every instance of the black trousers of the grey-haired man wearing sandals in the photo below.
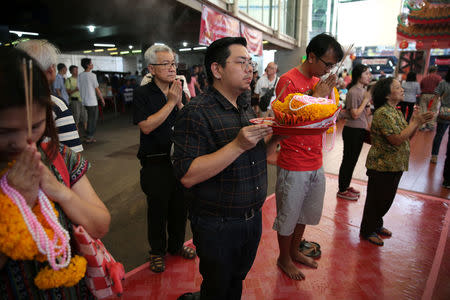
(166, 212)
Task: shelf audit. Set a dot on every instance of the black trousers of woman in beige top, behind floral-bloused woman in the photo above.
(353, 141)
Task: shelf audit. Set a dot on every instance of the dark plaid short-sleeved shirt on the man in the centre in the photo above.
(206, 124)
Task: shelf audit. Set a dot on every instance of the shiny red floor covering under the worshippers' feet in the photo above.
(413, 264)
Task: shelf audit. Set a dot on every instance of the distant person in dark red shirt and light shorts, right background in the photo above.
(427, 86)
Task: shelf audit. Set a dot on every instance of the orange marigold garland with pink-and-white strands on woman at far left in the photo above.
(36, 234)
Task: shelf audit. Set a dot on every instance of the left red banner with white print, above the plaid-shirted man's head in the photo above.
(215, 25)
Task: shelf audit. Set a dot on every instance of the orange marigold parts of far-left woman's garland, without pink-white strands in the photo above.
(17, 243)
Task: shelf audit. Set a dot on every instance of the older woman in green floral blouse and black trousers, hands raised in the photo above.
(388, 156)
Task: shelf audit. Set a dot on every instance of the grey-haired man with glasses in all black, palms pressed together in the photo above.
(156, 105)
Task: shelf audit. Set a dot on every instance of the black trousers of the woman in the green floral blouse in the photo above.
(381, 190)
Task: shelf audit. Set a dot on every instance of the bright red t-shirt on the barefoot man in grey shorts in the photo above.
(299, 152)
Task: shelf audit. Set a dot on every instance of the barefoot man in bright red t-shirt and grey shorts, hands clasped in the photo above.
(300, 186)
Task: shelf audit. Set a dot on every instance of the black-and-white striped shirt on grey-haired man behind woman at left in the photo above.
(65, 125)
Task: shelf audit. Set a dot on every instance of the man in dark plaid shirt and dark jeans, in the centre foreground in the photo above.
(221, 158)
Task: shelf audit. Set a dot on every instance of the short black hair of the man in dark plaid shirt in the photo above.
(218, 52)
